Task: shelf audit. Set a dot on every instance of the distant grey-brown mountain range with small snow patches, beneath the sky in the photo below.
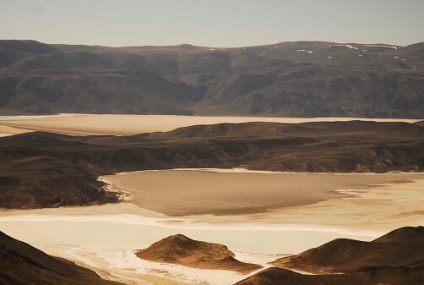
(285, 79)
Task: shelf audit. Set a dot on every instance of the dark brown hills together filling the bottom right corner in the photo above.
(396, 258)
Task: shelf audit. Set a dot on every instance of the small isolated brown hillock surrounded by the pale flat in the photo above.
(179, 249)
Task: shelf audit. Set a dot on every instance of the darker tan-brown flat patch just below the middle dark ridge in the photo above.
(208, 191)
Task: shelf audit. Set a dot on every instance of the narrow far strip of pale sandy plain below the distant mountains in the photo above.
(111, 124)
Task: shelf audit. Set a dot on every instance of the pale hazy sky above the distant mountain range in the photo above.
(212, 22)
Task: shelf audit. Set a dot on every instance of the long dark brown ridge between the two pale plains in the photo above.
(50, 170)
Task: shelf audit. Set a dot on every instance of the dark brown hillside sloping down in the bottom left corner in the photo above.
(22, 264)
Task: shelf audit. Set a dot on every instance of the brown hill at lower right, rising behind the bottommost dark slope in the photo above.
(403, 247)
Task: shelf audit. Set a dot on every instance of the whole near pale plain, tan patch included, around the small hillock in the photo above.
(328, 206)
